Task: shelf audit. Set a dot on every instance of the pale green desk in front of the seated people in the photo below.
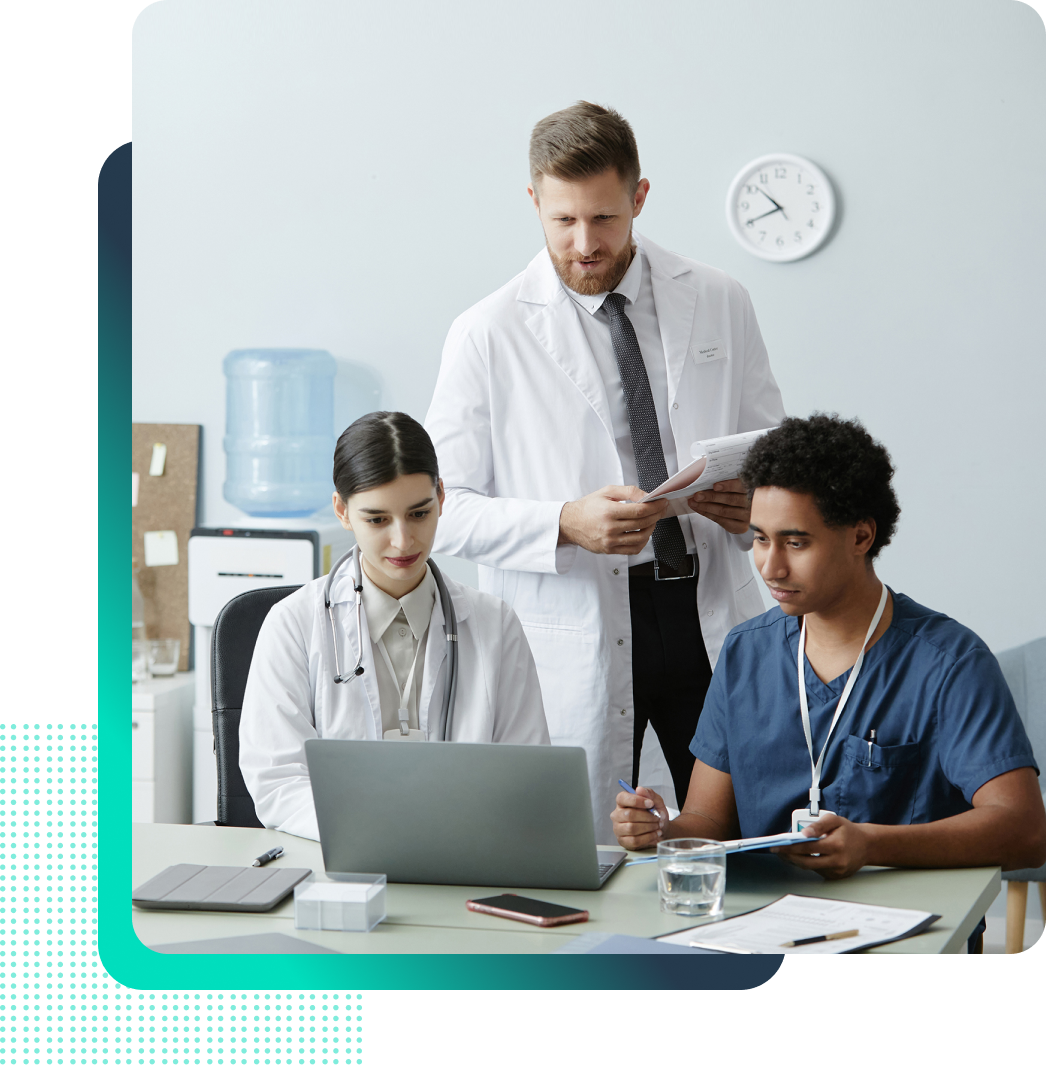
(432, 919)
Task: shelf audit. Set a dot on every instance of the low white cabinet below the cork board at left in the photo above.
(162, 749)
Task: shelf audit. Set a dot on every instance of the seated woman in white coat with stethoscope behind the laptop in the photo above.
(388, 493)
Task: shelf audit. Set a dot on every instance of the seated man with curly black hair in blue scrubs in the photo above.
(926, 763)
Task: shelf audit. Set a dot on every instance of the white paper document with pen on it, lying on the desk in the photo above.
(802, 916)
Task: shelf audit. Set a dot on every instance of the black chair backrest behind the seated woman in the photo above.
(233, 647)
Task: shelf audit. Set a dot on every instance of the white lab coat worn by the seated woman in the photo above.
(291, 696)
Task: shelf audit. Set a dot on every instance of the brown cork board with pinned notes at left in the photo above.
(167, 503)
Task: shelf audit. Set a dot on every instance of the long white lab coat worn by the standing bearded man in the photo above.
(521, 425)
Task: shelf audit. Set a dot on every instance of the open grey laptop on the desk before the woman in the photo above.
(495, 815)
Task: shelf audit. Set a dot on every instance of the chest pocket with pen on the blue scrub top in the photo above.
(879, 788)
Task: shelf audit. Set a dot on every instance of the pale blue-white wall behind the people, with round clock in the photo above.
(349, 176)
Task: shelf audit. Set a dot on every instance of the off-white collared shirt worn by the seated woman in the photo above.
(401, 626)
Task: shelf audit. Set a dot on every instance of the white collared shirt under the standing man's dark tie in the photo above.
(640, 307)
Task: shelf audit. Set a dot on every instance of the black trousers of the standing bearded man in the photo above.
(671, 671)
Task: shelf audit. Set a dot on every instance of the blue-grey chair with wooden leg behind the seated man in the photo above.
(1025, 673)
